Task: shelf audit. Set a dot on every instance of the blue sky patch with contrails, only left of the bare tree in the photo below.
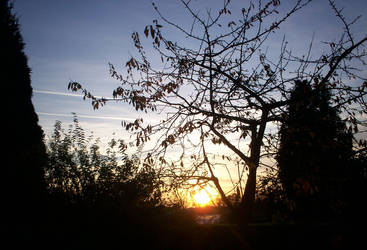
(75, 40)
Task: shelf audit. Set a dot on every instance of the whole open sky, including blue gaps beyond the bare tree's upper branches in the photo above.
(74, 40)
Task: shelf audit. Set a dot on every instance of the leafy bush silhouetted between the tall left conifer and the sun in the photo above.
(80, 175)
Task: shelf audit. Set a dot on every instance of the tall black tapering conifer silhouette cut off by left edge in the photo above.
(22, 185)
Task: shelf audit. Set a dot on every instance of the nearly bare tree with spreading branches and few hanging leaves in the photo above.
(218, 88)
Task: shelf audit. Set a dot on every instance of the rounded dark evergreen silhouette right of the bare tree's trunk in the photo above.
(315, 149)
